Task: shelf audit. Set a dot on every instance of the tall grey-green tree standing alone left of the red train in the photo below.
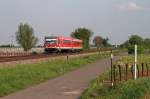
(25, 36)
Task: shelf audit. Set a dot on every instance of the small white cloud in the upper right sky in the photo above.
(130, 6)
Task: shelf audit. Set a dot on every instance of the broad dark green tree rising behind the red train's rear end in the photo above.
(83, 34)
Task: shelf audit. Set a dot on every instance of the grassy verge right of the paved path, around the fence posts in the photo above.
(139, 89)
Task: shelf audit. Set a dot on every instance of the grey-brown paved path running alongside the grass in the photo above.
(68, 86)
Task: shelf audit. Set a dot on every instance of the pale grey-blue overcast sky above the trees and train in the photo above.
(115, 19)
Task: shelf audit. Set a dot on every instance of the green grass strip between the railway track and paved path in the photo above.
(22, 76)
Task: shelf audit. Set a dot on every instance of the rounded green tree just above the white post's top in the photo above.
(135, 39)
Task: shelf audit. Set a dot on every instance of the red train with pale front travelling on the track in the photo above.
(60, 43)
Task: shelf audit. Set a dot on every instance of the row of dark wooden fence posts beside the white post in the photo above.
(140, 71)
